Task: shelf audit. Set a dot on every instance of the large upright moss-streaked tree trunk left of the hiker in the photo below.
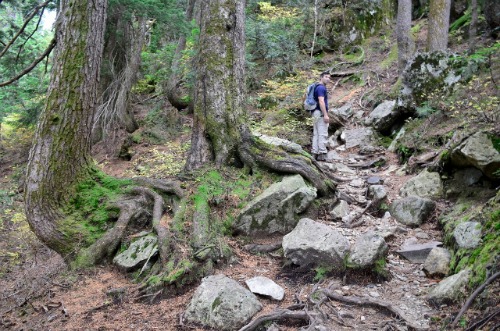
(219, 91)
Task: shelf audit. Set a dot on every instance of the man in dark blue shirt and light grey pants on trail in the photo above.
(320, 118)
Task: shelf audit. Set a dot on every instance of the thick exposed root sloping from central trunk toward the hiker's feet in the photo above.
(254, 152)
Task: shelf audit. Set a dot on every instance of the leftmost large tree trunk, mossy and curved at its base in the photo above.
(61, 151)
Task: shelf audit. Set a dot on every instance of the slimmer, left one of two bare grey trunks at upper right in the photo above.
(403, 30)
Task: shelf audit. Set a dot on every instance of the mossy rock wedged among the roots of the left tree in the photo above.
(140, 251)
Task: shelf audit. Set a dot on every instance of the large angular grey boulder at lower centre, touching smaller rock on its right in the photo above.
(313, 243)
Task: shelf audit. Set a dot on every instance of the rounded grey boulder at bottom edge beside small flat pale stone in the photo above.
(221, 303)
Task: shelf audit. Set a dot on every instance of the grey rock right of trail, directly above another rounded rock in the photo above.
(425, 185)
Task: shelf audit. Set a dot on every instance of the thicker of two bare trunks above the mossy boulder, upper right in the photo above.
(439, 22)
